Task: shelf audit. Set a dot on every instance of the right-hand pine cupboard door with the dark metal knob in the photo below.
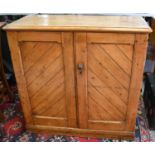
(107, 90)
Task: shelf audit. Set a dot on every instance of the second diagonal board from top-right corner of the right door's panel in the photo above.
(118, 57)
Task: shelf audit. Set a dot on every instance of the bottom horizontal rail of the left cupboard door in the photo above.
(50, 121)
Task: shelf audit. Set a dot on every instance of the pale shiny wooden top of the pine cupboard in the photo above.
(80, 23)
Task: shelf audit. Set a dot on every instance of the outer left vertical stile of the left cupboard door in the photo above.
(19, 74)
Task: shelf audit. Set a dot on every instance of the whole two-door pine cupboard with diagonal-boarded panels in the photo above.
(79, 75)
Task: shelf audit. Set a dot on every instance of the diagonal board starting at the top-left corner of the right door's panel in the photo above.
(104, 59)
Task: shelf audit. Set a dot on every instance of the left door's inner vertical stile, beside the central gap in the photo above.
(68, 55)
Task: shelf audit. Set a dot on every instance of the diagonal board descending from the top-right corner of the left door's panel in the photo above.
(40, 66)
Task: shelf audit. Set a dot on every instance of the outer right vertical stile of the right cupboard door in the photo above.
(136, 79)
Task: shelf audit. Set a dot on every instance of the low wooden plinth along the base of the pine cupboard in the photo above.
(81, 132)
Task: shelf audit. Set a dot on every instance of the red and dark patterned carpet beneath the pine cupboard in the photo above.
(12, 128)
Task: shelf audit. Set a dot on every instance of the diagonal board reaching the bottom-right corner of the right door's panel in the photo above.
(102, 101)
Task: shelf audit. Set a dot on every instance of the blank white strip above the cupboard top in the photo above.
(77, 6)
